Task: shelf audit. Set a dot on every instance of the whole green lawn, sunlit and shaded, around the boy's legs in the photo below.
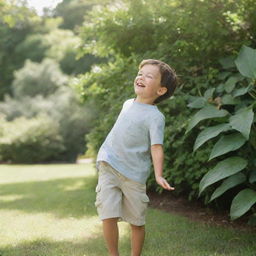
(48, 210)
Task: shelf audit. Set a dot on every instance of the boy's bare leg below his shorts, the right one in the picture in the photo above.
(137, 239)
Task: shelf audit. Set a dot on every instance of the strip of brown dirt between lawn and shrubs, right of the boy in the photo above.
(196, 211)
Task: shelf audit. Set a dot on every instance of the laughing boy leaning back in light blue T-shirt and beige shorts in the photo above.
(124, 158)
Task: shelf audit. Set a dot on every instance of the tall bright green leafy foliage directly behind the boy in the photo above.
(192, 36)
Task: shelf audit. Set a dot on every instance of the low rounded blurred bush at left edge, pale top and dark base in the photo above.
(30, 140)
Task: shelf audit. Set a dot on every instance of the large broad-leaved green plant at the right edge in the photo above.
(231, 108)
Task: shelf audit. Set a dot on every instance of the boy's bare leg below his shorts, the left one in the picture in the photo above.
(110, 231)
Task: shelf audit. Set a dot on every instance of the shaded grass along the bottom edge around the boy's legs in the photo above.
(165, 241)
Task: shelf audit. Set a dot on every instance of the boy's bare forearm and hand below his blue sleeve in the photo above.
(157, 153)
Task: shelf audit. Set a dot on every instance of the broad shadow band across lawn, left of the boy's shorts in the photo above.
(69, 197)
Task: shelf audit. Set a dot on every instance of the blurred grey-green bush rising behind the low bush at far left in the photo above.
(41, 88)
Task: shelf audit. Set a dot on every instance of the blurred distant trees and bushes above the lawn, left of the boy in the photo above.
(38, 64)
